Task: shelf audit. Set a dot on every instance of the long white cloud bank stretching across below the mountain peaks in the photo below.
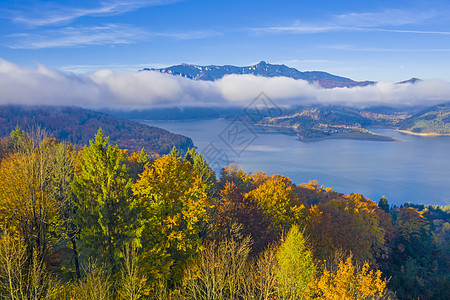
(148, 89)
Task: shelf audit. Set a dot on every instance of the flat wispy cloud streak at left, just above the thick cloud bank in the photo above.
(108, 34)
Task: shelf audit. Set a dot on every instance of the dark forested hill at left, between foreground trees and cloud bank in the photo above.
(78, 126)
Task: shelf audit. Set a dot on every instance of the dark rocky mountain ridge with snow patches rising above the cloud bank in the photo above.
(213, 72)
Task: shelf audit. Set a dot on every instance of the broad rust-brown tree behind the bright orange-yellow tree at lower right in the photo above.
(350, 223)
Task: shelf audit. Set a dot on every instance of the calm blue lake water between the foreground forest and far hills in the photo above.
(416, 169)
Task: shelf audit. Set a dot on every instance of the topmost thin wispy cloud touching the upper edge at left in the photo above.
(53, 14)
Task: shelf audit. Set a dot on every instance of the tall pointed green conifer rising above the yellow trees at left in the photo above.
(104, 201)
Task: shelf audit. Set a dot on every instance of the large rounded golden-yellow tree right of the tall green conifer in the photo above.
(174, 209)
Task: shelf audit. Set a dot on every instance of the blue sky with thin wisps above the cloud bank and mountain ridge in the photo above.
(363, 40)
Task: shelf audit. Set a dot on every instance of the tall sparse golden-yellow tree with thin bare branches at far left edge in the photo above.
(32, 208)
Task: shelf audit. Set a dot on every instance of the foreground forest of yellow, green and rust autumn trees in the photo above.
(101, 222)
